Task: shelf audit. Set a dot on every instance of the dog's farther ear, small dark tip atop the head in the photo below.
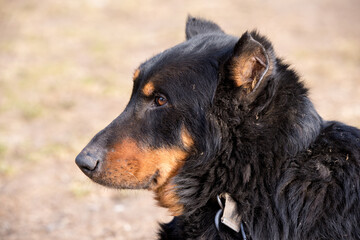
(195, 26)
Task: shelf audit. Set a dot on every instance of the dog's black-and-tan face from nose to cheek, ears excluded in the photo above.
(149, 142)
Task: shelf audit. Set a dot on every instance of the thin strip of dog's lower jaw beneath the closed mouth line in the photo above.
(148, 183)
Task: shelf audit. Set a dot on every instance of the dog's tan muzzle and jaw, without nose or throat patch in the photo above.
(127, 166)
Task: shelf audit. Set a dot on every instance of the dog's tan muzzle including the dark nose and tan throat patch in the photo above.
(127, 166)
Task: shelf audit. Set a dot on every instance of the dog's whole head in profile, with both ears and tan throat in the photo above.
(169, 118)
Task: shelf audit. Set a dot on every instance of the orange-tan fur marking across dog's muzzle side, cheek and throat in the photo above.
(134, 165)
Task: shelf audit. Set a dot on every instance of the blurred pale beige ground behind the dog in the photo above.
(66, 71)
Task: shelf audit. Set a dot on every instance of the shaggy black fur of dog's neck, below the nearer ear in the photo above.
(244, 147)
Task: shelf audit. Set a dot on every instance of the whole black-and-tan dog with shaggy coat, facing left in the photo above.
(219, 122)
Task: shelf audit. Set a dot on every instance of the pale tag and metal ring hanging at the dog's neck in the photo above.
(228, 214)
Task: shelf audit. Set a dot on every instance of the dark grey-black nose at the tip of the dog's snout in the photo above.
(88, 160)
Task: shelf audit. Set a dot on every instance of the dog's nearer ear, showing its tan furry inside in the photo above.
(251, 63)
